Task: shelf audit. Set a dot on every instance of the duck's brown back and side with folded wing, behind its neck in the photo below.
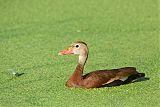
(103, 77)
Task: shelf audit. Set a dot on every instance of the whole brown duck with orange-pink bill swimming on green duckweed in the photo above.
(97, 78)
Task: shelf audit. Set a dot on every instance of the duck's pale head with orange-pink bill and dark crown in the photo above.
(78, 47)
